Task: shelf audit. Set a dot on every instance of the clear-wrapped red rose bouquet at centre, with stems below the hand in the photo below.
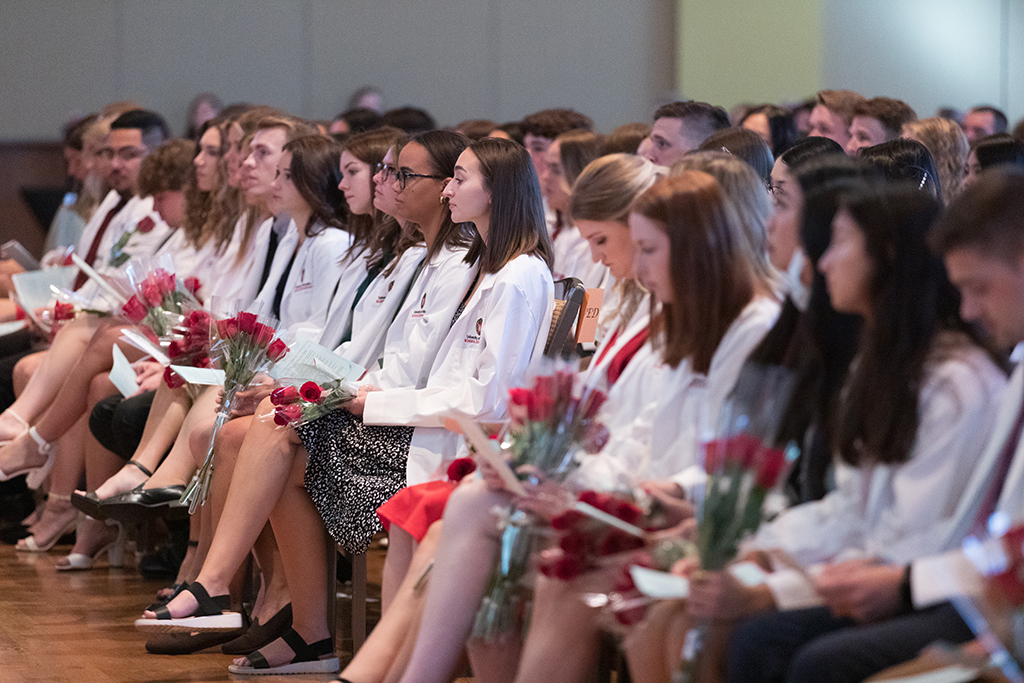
(557, 422)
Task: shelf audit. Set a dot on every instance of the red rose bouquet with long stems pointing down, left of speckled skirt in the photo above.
(245, 346)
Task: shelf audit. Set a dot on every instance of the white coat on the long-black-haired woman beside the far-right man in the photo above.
(892, 513)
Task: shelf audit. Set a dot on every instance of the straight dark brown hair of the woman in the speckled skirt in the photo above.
(517, 225)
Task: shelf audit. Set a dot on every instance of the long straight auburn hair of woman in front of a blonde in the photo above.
(712, 277)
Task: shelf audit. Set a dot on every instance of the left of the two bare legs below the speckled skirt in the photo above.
(264, 466)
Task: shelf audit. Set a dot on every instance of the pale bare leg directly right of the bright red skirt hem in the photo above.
(465, 552)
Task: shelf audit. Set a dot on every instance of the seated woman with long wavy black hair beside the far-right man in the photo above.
(910, 428)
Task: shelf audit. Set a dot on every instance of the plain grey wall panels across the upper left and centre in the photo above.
(459, 59)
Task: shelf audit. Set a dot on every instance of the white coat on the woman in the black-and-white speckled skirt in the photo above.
(487, 352)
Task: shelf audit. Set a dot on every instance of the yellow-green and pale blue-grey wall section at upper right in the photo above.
(930, 53)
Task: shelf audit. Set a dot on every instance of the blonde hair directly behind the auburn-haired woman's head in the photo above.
(747, 203)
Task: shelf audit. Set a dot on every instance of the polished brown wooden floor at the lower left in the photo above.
(63, 627)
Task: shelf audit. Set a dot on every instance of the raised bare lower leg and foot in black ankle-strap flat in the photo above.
(162, 428)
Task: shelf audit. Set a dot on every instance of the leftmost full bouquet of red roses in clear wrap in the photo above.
(158, 301)
